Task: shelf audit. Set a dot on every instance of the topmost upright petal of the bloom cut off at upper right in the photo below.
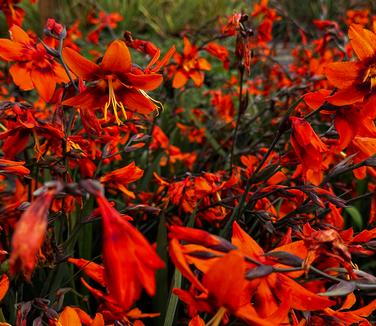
(363, 41)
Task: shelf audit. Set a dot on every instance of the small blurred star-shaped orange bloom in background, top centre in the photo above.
(189, 65)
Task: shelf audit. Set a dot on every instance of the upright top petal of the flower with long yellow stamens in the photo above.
(117, 58)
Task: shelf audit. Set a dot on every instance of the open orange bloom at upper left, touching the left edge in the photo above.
(33, 67)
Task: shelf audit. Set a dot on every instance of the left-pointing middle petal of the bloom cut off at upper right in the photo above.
(343, 74)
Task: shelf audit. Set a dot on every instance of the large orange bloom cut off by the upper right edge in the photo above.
(355, 79)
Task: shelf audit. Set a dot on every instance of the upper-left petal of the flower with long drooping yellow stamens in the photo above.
(81, 66)
